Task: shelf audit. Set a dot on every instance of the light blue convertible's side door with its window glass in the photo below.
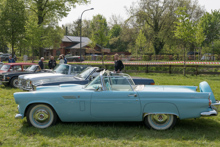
(114, 103)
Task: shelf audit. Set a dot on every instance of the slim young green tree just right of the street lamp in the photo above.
(99, 31)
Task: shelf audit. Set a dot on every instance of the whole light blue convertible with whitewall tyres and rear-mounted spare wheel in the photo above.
(115, 97)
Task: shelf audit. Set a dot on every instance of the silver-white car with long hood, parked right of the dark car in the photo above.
(62, 71)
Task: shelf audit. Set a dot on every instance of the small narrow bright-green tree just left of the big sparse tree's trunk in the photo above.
(140, 43)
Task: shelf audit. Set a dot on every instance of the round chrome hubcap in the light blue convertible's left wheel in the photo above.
(41, 115)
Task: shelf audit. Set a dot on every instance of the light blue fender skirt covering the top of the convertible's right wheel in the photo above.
(165, 108)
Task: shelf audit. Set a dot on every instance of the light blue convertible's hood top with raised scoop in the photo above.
(62, 87)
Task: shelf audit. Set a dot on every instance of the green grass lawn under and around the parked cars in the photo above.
(199, 132)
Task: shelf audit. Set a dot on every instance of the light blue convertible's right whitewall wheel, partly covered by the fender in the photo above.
(160, 121)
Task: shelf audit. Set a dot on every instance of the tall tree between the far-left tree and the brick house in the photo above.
(51, 10)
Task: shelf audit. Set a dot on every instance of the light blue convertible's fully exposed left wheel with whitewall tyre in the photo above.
(41, 116)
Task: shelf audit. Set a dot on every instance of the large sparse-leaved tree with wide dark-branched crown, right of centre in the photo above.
(159, 17)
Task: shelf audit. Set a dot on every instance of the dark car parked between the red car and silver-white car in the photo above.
(12, 77)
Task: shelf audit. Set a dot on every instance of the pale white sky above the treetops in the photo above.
(107, 8)
